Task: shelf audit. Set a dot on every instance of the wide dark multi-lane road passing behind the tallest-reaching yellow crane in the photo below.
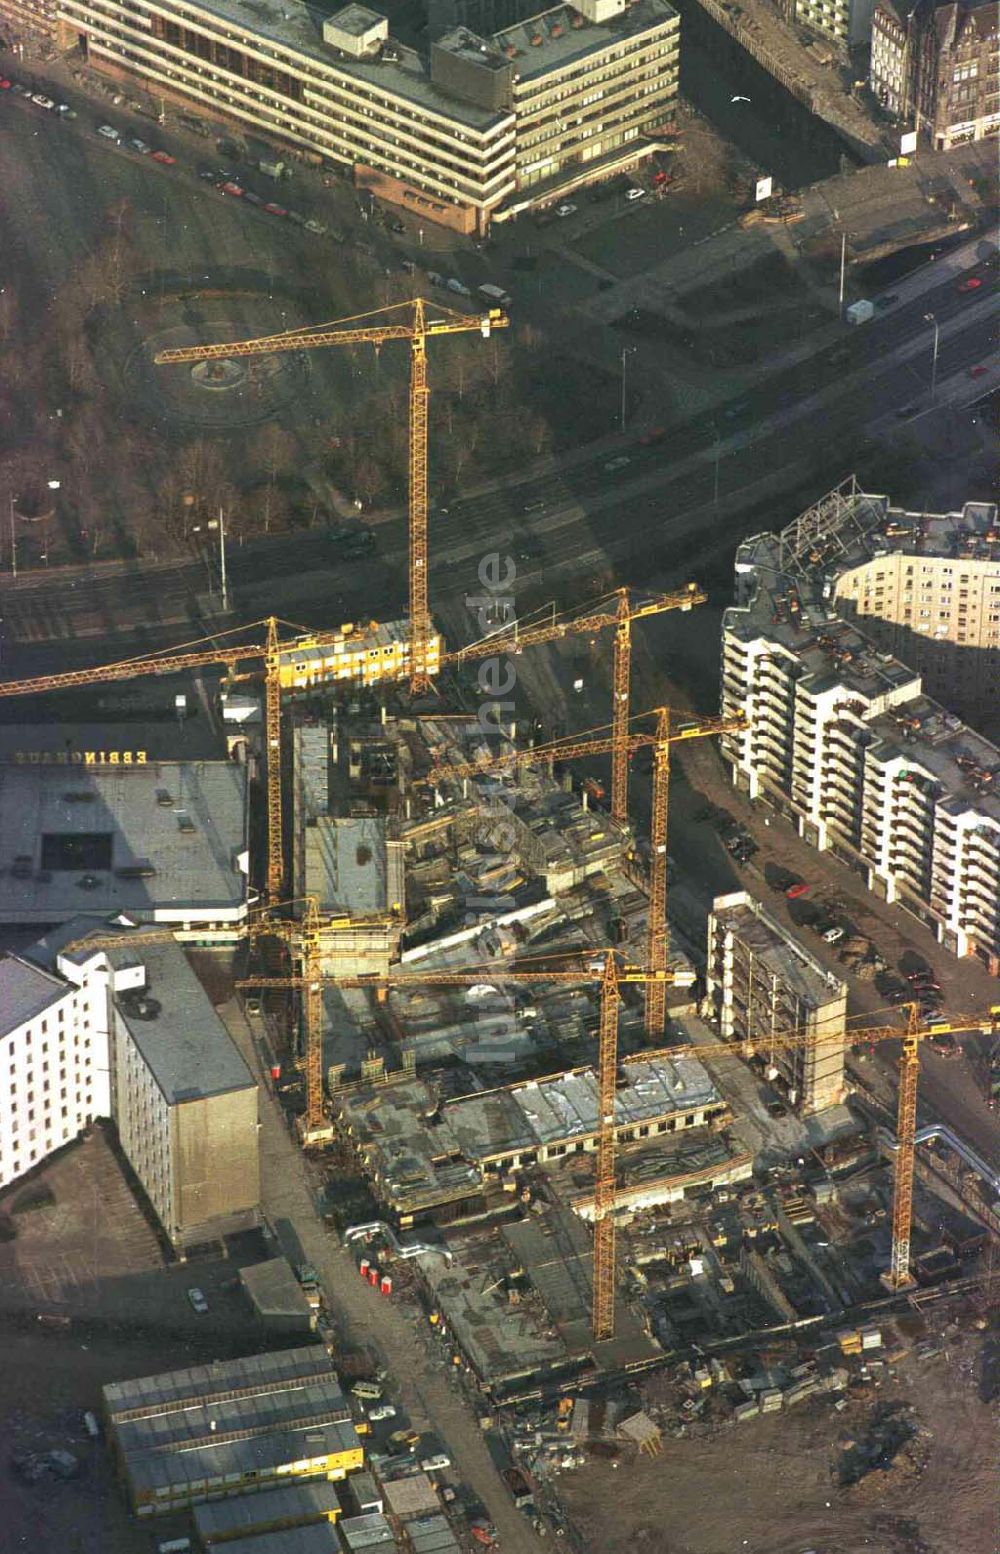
(558, 521)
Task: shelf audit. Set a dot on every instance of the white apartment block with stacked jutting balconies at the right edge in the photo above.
(841, 736)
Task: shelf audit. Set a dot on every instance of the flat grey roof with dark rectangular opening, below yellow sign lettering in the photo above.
(155, 840)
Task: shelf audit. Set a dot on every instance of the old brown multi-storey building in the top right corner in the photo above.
(936, 68)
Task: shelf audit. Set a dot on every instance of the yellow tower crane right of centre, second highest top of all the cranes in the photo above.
(599, 619)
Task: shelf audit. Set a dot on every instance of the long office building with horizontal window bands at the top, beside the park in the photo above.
(474, 130)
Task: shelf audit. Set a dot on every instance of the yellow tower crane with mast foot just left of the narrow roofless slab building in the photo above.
(623, 745)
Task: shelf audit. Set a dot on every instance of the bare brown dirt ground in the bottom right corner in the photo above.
(771, 1486)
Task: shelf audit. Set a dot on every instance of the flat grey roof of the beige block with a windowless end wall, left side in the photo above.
(176, 1030)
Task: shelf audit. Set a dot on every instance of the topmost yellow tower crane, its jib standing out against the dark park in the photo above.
(406, 321)
